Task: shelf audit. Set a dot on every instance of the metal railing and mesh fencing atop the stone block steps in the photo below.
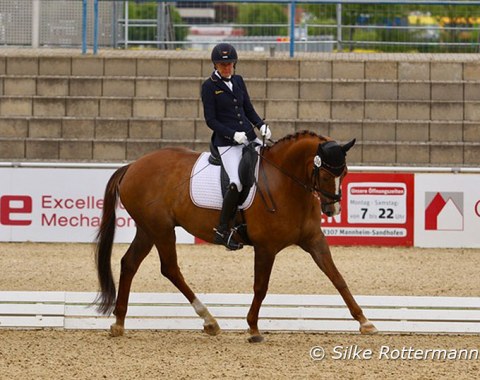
(300, 26)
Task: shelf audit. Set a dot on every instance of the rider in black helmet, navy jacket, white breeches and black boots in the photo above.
(230, 114)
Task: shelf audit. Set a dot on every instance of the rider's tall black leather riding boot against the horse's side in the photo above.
(223, 233)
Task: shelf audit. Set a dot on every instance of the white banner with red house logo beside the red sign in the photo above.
(447, 210)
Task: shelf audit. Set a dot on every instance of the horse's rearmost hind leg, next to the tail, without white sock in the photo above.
(138, 250)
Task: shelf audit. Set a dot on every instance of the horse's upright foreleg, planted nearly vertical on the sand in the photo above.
(263, 269)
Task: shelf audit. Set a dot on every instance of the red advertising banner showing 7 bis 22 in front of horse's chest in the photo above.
(377, 209)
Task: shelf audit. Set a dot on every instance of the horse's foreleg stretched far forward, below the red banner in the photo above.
(320, 252)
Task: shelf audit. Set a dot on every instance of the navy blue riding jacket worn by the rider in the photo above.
(226, 111)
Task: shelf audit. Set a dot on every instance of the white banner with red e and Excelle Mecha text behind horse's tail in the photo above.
(59, 205)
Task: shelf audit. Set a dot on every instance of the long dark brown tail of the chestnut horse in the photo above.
(104, 244)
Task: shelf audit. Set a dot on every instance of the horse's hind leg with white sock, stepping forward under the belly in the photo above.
(169, 268)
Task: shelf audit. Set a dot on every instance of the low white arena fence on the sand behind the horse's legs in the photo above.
(280, 312)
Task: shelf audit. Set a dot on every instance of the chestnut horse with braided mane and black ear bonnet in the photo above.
(300, 174)
